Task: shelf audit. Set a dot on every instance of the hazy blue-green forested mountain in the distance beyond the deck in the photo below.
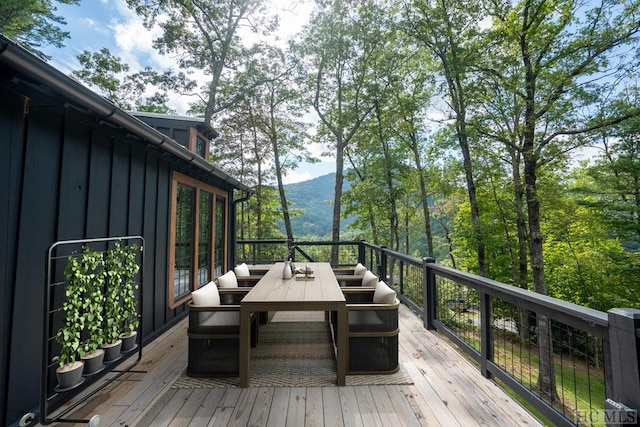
(315, 197)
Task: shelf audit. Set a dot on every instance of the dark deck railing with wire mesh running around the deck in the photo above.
(517, 337)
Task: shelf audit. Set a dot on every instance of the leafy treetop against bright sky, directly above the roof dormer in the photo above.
(204, 35)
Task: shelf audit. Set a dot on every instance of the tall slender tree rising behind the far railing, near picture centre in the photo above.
(337, 50)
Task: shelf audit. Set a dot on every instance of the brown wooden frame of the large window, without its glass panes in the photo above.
(181, 179)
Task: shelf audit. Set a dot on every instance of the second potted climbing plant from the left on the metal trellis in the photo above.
(93, 307)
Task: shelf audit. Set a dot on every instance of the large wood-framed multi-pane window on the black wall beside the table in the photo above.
(198, 236)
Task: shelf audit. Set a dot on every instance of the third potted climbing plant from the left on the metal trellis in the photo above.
(112, 309)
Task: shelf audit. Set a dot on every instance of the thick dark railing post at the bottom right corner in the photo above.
(623, 379)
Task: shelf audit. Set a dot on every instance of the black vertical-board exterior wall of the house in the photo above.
(64, 175)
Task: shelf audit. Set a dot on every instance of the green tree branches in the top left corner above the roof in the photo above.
(33, 23)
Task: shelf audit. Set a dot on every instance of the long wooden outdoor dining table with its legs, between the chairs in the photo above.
(321, 292)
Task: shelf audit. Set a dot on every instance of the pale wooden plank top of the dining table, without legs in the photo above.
(273, 289)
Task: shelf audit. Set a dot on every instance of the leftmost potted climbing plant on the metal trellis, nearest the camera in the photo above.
(69, 371)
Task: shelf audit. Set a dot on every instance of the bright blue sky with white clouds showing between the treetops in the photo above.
(95, 24)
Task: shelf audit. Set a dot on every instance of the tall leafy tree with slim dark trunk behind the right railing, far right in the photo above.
(563, 49)
